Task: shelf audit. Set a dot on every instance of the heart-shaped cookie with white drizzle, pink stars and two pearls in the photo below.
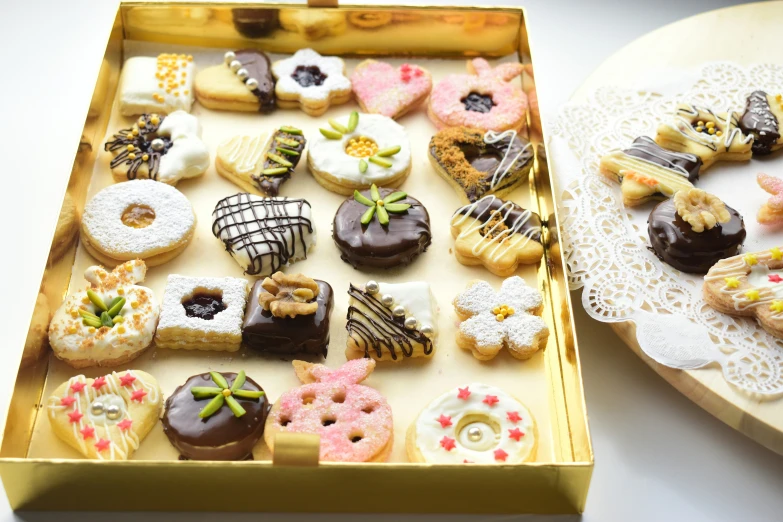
(106, 418)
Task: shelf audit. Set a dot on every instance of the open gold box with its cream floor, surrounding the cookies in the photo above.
(40, 472)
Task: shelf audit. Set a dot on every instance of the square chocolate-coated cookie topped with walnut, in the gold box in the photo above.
(287, 314)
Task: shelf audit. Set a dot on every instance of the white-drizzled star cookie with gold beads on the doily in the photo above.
(711, 136)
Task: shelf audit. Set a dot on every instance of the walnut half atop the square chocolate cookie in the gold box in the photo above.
(289, 295)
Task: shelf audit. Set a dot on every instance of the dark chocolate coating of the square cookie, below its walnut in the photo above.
(301, 334)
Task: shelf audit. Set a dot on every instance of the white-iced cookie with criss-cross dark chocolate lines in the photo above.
(264, 234)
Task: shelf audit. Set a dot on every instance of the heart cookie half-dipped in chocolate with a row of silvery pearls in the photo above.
(243, 82)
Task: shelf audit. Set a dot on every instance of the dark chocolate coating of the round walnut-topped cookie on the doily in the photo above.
(675, 243)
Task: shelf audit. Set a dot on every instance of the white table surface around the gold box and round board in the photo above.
(658, 456)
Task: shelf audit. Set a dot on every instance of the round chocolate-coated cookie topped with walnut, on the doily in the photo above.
(694, 230)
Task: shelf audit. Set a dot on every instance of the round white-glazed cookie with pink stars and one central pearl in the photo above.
(475, 424)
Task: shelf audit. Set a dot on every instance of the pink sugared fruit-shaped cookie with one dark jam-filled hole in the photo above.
(509, 110)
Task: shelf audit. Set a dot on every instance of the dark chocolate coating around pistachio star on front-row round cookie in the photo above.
(222, 435)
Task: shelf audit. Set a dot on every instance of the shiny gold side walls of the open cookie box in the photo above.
(294, 481)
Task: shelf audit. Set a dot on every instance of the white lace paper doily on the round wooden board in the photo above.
(606, 244)
